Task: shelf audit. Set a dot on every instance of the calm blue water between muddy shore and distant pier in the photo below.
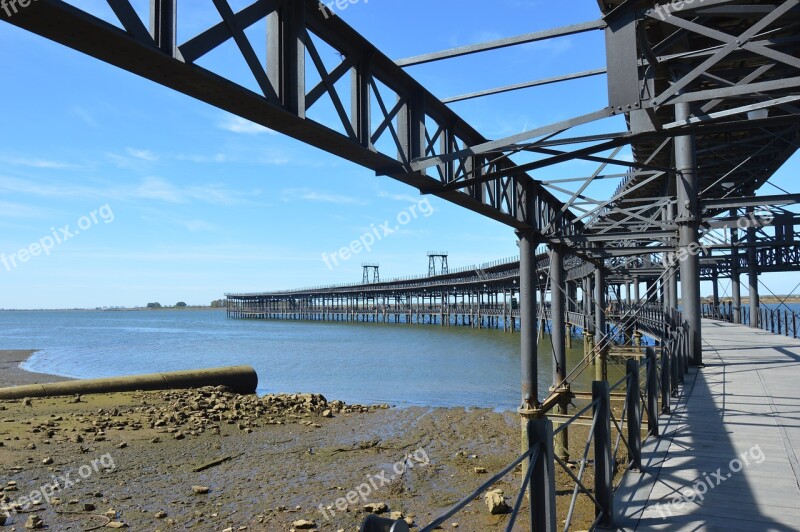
(366, 363)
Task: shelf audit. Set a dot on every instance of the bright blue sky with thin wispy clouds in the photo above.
(205, 203)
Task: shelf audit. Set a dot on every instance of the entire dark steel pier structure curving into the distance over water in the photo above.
(706, 95)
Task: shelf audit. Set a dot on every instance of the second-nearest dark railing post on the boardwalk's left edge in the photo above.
(604, 509)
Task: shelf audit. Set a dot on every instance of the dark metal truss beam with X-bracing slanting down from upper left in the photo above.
(513, 198)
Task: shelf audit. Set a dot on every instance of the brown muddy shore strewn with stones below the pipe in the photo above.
(210, 460)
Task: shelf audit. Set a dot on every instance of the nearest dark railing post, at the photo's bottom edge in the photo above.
(543, 478)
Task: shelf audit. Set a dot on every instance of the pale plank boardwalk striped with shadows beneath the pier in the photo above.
(728, 456)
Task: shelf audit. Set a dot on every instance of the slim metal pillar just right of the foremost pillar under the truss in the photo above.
(557, 337)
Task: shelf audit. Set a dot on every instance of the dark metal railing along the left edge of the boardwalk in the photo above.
(649, 387)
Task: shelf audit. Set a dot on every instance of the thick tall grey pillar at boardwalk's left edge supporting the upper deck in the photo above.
(687, 187)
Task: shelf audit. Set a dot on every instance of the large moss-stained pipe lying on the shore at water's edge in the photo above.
(240, 379)
